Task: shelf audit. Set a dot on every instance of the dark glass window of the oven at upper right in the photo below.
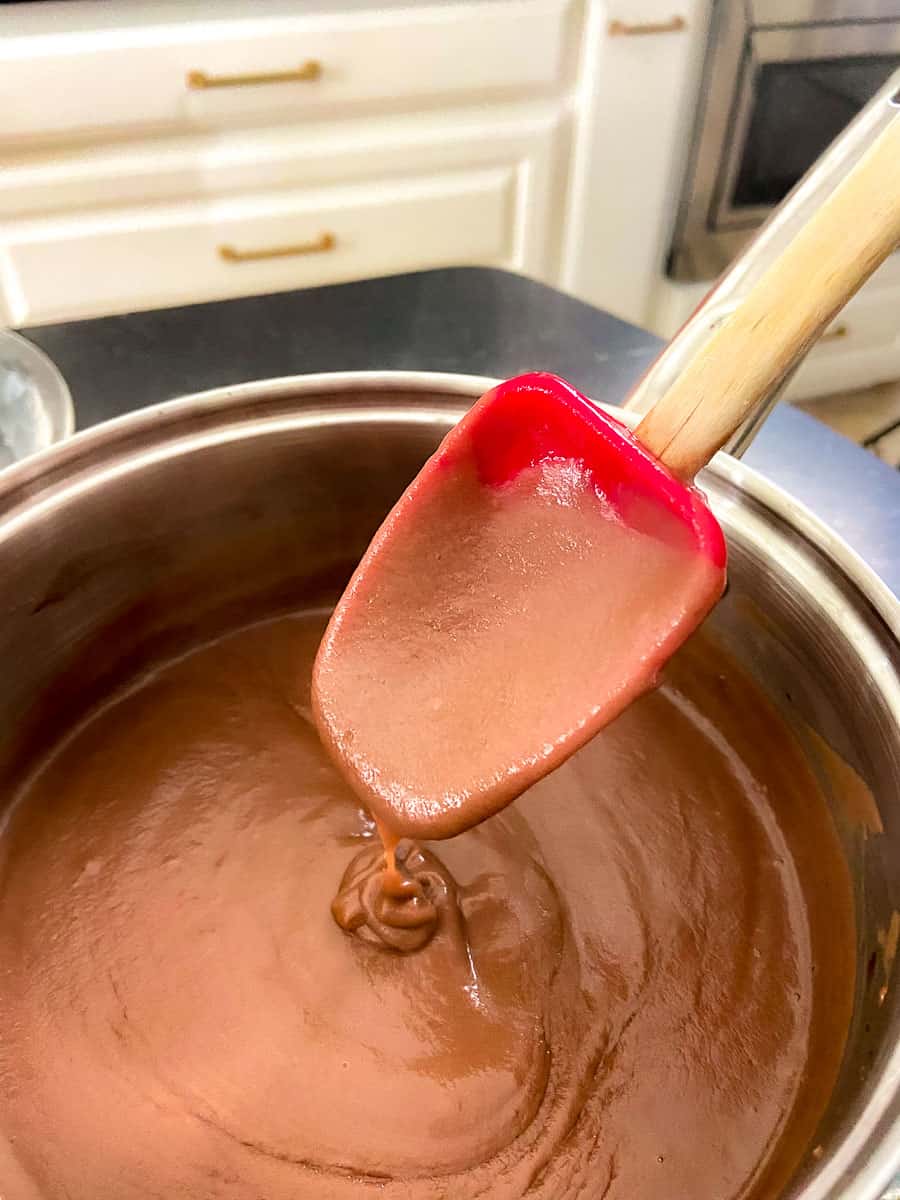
(799, 110)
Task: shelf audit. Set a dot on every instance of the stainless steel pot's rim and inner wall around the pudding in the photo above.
(269, 493)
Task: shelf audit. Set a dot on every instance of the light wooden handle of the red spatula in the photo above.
(793, 303)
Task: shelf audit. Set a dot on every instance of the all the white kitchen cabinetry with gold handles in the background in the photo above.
(543, 136)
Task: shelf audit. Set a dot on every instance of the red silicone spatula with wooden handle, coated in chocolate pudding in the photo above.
(547, 562)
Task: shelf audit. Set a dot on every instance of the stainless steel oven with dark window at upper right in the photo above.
(782, 80)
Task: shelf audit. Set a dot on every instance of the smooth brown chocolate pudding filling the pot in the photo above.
(214, 985)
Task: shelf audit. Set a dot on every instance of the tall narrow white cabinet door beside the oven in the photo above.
(641, 59)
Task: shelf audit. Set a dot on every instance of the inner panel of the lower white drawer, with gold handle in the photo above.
(211, 250)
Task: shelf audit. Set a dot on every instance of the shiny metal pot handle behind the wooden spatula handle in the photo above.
(777, 233)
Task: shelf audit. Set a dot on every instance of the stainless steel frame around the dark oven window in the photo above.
(710, 232)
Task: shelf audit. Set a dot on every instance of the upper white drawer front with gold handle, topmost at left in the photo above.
(197, 75)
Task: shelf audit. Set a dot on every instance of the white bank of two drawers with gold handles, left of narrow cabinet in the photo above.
(429, 135)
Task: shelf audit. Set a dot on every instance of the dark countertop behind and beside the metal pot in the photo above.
(467, 320)
